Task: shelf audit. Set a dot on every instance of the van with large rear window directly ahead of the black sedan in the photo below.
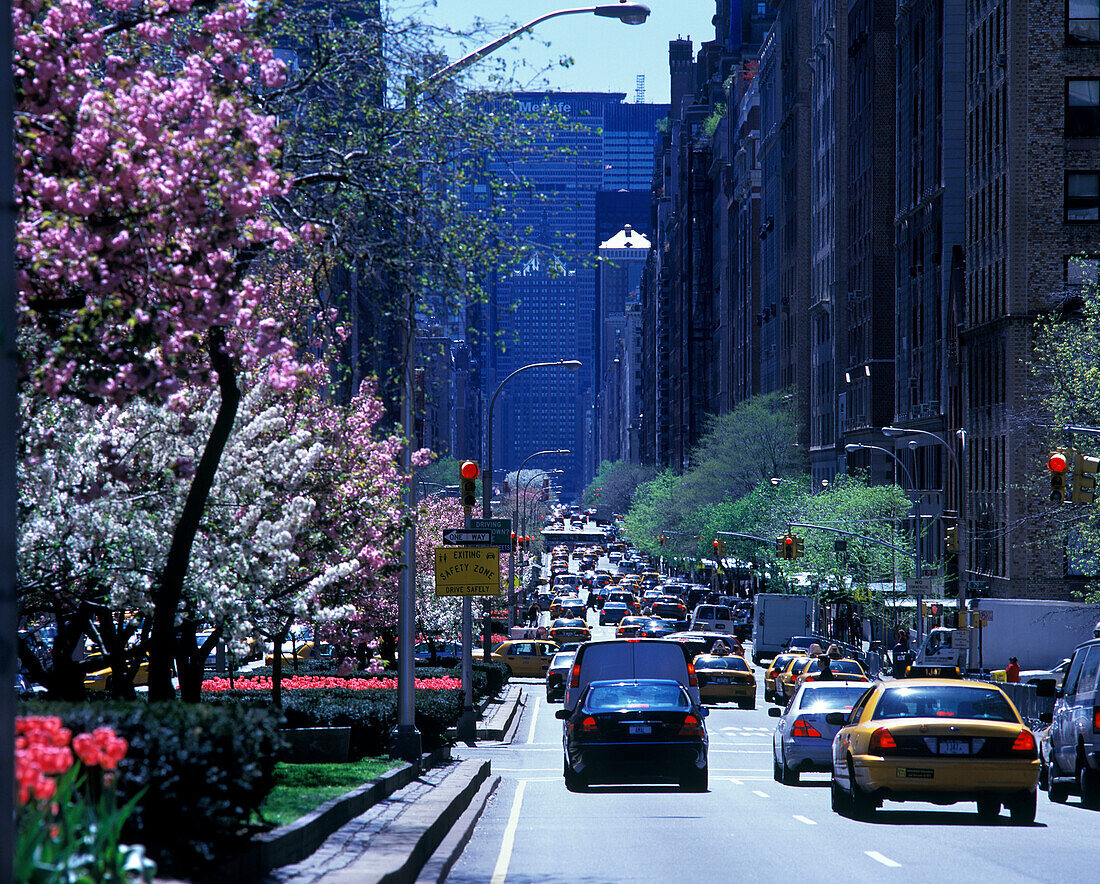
(630, 659)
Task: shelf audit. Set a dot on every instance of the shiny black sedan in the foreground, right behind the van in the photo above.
(635, 732)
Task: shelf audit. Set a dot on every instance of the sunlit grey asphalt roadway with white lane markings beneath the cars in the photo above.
(746, 828)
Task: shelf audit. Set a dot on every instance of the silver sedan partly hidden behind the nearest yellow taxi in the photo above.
(804, 742)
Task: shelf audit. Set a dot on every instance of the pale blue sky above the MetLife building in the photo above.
(608, 56)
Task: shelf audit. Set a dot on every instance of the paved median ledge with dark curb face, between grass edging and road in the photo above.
(405, 847)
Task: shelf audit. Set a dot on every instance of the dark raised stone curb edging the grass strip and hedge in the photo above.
(300, 839)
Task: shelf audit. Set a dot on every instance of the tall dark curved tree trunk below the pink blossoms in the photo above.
(170, 591)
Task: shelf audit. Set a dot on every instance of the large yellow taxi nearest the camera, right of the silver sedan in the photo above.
(941, 741)
